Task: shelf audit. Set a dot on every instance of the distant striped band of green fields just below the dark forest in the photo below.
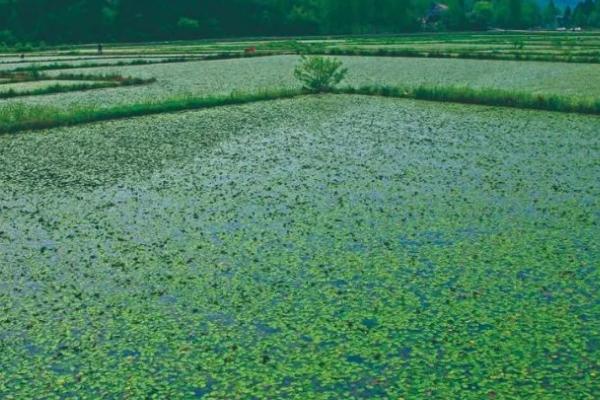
(530, 46)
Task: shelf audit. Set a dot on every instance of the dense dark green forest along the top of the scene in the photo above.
(77, 21)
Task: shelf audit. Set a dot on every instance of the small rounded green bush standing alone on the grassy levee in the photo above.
(320, 74)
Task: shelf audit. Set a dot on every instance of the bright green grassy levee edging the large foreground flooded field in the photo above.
(19, 117)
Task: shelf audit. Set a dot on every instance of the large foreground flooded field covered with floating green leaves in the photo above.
(324, 247)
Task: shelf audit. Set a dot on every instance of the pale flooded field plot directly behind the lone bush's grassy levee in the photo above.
(225, 76)
